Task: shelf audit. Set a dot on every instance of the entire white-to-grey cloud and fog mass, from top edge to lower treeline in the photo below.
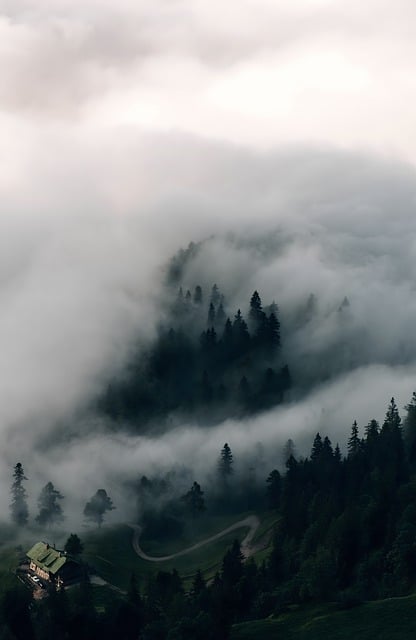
(281, 139)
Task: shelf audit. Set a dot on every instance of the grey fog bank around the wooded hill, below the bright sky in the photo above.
(79, 291)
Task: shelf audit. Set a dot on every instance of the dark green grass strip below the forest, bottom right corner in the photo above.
(392, 619)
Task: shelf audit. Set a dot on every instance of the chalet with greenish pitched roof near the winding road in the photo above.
(54, 566)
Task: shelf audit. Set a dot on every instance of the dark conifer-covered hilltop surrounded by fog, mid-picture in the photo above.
(207, 363)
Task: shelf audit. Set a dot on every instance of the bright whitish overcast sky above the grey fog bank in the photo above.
(260, 73)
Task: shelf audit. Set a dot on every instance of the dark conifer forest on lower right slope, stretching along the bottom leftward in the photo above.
(345, 531)
